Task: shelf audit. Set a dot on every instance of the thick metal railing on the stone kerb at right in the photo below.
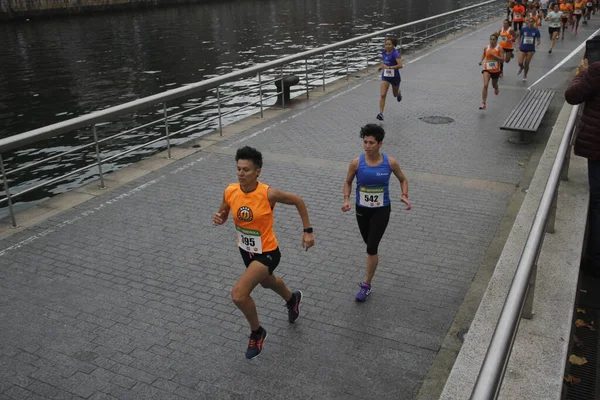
(519, 300)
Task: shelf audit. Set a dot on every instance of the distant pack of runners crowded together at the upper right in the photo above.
(526, 39)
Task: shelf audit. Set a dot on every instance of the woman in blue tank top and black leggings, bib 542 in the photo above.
(372, 171)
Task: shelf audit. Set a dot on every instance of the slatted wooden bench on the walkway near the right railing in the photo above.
(528, 114)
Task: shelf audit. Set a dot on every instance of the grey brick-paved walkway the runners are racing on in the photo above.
(128, 294)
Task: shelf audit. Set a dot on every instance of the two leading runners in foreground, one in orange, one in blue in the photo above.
(252, 202)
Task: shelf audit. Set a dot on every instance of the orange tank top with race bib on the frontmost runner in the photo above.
(253, 218)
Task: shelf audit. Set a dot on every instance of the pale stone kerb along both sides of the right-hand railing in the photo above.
(533, 373)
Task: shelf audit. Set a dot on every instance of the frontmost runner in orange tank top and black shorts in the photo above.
(252, 203)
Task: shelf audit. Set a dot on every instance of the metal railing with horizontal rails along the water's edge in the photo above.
(315, 67)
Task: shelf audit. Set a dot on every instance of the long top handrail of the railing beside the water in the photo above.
(108, 114)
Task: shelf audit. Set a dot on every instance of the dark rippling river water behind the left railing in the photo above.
(59, 68)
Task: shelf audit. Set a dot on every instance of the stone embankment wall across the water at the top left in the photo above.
(12, 9)
